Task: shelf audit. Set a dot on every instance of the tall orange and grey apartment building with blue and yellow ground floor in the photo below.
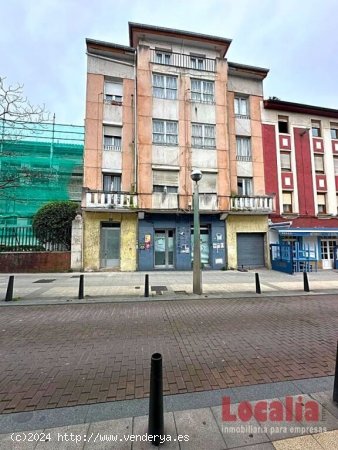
(168, 103)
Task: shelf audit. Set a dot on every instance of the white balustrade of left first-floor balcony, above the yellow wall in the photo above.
(105, 199)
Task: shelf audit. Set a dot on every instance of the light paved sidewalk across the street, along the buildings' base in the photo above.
(121, 286)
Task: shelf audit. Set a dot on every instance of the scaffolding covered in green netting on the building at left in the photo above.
(39, 163)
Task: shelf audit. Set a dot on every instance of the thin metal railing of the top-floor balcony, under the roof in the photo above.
(184, 61)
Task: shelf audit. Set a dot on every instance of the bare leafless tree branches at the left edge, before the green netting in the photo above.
(17, 116)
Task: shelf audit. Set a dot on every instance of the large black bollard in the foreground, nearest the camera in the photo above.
(156, 419)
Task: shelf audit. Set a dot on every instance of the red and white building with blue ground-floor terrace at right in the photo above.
(301, 171)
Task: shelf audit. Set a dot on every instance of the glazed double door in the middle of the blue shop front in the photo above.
(164, 249)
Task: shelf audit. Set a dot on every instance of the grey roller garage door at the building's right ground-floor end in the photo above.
(250, 250)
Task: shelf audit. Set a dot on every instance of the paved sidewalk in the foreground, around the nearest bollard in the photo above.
(193, 422)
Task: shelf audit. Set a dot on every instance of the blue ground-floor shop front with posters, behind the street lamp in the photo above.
(165, 241)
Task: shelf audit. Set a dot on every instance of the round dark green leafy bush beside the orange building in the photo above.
(53, 222)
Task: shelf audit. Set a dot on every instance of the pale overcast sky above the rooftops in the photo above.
(42, 43)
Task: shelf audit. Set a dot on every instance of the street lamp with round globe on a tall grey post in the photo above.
(196, 176)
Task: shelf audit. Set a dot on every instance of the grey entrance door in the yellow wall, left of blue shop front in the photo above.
(110, 245)
